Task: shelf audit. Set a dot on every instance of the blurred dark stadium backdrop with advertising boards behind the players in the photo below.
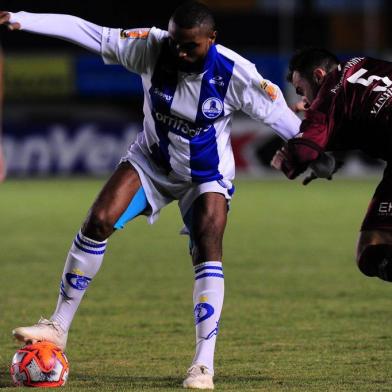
(66, 113)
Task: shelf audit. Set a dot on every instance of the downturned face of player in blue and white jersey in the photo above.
(190, 46)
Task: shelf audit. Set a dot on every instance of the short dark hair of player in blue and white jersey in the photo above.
(191, 14)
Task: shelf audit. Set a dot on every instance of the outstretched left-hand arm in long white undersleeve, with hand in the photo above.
(66, 27)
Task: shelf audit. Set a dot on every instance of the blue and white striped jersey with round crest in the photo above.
(187, 117)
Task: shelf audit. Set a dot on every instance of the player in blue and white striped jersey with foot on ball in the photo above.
(192, 86)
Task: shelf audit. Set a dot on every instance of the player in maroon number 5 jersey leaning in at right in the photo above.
(348, 107)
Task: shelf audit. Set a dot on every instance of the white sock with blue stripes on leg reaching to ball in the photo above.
(83, 262)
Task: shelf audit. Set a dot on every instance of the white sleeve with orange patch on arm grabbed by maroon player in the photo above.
(263, 100)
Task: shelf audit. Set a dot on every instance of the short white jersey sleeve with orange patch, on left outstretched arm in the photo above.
(135, 49)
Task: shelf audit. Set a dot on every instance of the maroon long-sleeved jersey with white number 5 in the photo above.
(352, 110)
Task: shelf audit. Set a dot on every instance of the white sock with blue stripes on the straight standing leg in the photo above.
(208, 296)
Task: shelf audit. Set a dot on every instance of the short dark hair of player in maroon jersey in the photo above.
(307, 59)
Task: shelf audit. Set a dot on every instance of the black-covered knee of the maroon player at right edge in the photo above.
(376, 260)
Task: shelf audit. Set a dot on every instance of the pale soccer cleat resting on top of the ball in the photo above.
(44, 330)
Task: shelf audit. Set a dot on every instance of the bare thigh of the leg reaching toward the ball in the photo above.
(115, 195)
